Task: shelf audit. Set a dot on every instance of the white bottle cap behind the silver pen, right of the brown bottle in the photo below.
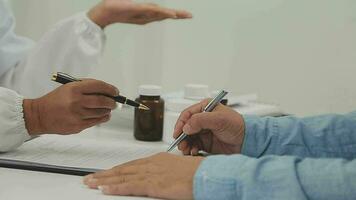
(196, 91)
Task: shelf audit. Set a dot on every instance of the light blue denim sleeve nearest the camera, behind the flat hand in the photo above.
(275, 177)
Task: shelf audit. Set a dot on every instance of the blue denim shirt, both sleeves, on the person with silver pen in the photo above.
(285, 158)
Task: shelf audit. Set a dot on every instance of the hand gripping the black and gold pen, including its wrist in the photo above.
(70, 108)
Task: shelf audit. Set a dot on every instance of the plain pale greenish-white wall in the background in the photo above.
(300, 54)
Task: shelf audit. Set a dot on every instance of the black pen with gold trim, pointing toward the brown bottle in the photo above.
(64, 78)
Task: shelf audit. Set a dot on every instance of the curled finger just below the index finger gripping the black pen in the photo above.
(98, 101)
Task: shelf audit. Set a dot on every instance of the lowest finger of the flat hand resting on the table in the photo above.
(131, 188)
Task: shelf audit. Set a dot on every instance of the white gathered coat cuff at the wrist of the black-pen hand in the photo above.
(13, 132)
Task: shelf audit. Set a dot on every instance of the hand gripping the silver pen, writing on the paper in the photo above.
(220, 131)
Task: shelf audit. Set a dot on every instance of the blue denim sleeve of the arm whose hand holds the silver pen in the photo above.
(329, 135)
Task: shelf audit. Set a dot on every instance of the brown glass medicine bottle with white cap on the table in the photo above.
(148, 124)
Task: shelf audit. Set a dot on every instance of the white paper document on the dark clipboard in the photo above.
(82, 152)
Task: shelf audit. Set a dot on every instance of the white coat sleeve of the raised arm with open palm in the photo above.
(74, 46)
